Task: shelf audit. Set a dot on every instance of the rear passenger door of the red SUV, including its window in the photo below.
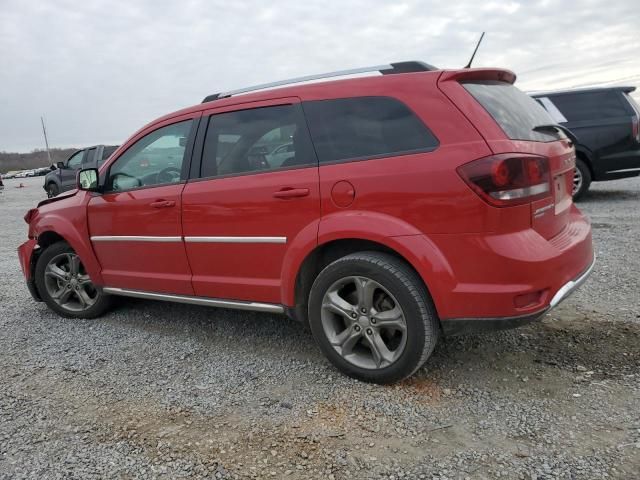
(240, 212)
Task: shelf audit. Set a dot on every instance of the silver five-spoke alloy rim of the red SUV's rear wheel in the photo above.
(363, 322)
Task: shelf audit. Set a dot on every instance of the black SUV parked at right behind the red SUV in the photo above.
(605, 122)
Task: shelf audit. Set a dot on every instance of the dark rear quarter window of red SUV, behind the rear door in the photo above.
(365, 127)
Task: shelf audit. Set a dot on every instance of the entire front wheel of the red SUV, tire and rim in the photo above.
(65, 286)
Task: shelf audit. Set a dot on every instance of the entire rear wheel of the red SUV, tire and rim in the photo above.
(372, 317)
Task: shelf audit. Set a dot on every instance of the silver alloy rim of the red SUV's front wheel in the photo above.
(68, 284)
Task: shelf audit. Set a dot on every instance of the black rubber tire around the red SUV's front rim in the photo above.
(102, 300)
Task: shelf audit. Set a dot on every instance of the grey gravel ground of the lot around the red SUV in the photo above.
(155, 390)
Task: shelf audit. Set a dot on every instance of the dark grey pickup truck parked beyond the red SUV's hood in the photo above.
(64, 177)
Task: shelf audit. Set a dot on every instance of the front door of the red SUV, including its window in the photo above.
(135, 224)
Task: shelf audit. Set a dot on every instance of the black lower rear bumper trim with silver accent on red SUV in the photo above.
(463, 326)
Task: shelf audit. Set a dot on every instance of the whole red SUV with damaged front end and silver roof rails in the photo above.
(383, 211)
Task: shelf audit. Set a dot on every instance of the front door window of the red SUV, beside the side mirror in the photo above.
(155, 159)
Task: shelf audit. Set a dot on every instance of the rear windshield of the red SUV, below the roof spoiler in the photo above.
(515, 112)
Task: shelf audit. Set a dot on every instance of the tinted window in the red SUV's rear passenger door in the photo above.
(251, 141)
